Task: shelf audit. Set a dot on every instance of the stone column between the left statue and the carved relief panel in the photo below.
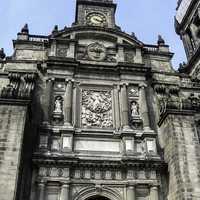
(68, 104)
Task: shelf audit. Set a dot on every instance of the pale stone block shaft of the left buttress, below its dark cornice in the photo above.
(12, 123)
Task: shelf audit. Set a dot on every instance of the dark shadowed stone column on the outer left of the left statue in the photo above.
(47, 101)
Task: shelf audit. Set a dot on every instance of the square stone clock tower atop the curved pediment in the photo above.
(95, 13)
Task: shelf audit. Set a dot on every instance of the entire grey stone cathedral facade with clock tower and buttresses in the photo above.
(93, 113)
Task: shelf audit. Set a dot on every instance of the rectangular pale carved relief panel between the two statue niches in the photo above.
(96, 109)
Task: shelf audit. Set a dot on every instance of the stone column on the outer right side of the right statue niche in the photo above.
(144, 108)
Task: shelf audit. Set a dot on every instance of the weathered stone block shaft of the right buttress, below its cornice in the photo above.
(182, 154)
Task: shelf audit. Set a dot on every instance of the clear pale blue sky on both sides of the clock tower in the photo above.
(146, 18)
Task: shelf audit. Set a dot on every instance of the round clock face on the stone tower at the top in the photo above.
(96, 19)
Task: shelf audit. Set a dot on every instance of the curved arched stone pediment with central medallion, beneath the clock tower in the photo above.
(98, 45)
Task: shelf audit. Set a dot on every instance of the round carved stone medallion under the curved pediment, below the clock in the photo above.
(96, 51)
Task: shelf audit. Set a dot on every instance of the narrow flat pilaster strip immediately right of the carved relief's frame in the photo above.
(117, 112)
